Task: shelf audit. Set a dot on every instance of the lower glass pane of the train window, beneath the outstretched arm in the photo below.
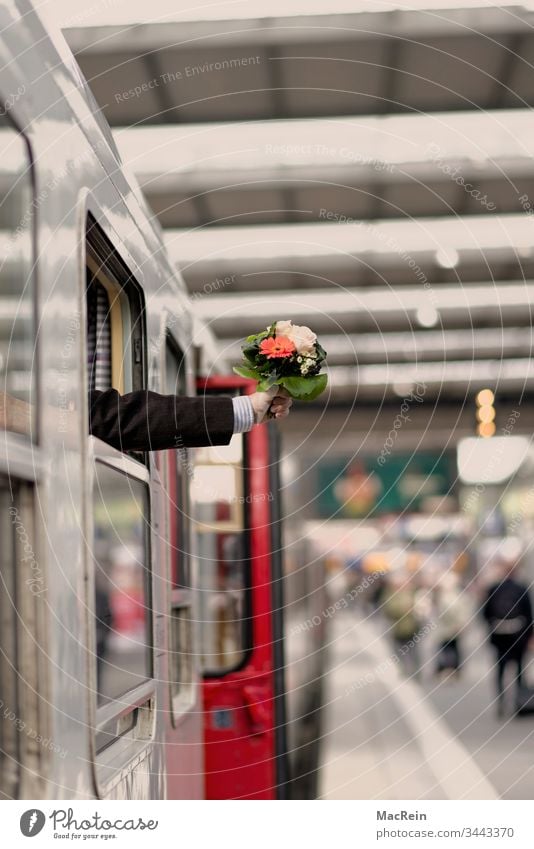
(121, 569)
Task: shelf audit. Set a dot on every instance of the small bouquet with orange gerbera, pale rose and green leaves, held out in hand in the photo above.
(285, 355)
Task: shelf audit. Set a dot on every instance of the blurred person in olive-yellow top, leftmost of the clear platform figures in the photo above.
(400, 607)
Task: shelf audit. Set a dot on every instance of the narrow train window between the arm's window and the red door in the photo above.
(181, 658)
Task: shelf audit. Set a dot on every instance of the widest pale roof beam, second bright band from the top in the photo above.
(394, 148)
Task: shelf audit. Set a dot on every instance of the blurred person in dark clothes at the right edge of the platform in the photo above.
(507, 610)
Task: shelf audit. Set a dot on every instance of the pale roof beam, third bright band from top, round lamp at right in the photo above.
(334, 244)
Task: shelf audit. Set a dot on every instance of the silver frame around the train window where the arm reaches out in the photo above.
(141, 702)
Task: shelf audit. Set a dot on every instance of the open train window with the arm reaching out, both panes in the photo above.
(122, 655)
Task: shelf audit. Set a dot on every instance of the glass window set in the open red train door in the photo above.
(220, 513)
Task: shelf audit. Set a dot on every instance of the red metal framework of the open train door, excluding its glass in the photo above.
(240, 759)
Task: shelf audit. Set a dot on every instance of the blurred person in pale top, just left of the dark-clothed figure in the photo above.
(452, 611)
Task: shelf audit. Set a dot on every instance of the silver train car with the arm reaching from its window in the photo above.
(86, 711)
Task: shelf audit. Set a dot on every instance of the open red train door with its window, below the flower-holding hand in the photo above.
(236, 502)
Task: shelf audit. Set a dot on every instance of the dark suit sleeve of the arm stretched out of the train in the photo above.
(146, 421)
